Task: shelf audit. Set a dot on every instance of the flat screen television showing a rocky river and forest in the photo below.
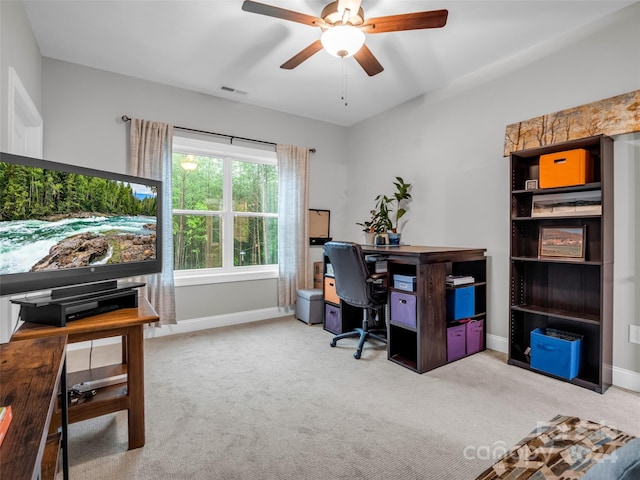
(63, 225)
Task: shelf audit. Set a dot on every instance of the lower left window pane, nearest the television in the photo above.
(196, 242)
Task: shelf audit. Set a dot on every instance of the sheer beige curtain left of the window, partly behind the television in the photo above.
(150, 157)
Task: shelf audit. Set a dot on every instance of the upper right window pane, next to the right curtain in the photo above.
(255, 187)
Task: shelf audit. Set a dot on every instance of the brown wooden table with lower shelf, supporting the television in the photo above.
(129, 395)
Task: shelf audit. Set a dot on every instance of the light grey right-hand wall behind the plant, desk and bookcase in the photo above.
(449, 145)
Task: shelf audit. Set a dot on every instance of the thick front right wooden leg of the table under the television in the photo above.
(135, 384)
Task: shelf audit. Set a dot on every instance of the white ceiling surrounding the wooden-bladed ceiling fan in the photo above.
(205, 45)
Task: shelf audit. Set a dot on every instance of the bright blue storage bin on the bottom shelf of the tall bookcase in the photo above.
(556, 352)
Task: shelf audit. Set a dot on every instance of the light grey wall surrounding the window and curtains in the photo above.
(82, 109)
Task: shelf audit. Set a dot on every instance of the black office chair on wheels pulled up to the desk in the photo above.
(356, 286)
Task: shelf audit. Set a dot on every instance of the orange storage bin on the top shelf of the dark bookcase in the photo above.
(563, 169)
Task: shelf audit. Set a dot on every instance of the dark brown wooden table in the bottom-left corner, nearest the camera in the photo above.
(33, 372)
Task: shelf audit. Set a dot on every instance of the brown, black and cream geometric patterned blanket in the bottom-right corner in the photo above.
(562, 449)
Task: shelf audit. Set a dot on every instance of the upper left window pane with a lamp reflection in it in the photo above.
(199, 189)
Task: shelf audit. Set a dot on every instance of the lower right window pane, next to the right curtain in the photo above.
(255, 241)
